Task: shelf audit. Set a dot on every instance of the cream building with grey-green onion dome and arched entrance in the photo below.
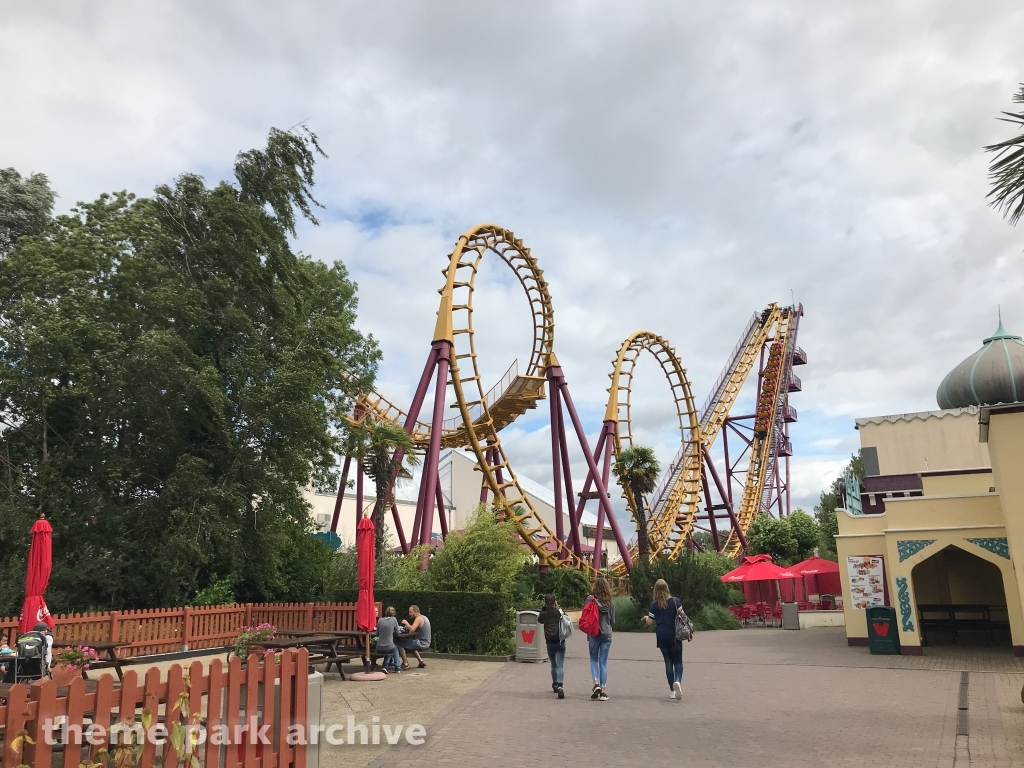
(940, 522)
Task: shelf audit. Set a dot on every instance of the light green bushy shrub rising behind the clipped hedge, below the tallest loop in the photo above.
(486, 557)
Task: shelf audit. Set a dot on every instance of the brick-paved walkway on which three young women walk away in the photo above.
(762, 698)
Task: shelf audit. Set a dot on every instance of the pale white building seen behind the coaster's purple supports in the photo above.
(461, 486)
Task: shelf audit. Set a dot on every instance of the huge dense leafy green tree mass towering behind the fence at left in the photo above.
(175, 375)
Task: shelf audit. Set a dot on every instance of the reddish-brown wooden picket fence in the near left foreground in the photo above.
(40, 729)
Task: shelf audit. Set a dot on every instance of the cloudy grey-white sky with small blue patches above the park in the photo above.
(673, 166)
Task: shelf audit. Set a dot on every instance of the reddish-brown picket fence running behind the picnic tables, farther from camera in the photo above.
(173, 630)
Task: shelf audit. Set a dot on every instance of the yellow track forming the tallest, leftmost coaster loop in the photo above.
(482, 415)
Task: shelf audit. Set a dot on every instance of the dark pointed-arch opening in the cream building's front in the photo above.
(961, 601)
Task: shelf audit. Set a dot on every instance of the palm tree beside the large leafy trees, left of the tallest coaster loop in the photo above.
(374, 443)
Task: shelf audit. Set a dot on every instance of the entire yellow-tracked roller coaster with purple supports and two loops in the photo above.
(681, 505)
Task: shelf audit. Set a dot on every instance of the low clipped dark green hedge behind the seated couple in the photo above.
(460, 622)
